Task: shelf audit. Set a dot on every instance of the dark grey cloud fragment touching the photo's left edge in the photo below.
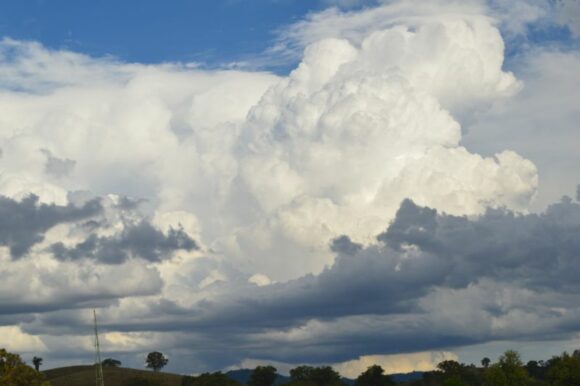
(23, 223)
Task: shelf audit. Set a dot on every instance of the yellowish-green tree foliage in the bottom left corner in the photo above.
(14, 372)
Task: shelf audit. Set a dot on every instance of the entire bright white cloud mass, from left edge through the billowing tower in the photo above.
(362, 123)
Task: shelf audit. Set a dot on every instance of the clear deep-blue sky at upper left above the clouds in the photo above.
(153, 31)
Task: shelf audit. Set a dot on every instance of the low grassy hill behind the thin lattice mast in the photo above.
(114, 376)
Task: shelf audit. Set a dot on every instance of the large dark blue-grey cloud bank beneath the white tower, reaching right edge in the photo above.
(422, 250)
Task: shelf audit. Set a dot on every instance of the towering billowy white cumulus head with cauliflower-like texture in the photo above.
(359, 126)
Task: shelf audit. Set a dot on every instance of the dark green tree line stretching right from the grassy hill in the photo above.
(508, 370)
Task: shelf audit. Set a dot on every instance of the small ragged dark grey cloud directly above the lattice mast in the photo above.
(136, 240)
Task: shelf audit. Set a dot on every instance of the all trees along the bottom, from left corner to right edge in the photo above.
(508, 370)
